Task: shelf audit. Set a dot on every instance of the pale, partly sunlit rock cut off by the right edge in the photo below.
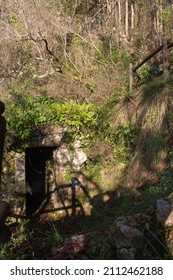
(164, 209)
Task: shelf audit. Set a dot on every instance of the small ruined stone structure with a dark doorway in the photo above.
(42, 179)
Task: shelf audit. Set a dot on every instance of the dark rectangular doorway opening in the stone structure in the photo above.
(35, 174)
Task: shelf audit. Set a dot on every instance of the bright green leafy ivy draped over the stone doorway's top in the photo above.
(24, 116)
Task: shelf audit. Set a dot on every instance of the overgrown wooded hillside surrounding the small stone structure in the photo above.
(67, 63)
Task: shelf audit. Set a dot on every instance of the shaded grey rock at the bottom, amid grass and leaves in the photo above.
(127, 239)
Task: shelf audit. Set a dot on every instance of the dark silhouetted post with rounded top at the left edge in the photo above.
(2, 135)
